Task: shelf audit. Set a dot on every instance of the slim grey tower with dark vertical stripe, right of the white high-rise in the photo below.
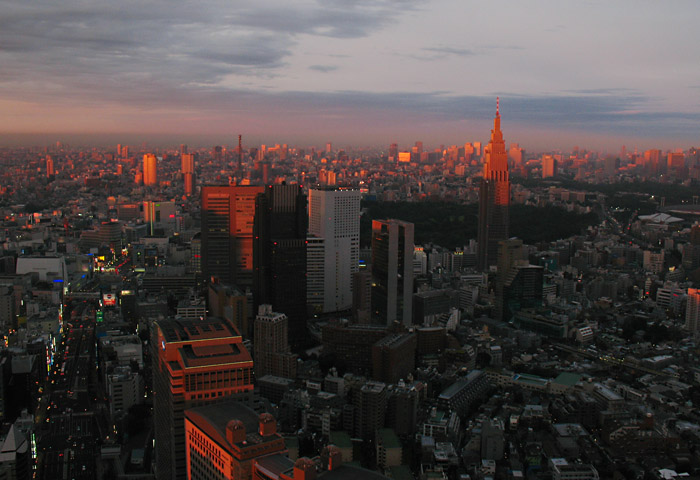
(392, 272)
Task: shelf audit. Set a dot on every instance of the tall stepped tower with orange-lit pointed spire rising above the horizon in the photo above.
(494, 197)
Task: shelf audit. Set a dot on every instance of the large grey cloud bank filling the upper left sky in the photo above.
(77, 45)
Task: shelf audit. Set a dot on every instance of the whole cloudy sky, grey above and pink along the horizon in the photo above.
(597, 74)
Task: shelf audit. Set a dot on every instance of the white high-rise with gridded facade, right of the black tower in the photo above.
(334, 222)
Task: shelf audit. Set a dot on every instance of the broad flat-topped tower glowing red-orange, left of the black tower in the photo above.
(228, 213)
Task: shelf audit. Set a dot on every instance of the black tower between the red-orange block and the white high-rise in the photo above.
(279, 255)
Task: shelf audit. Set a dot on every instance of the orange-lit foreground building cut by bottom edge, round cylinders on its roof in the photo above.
(224, 440)
